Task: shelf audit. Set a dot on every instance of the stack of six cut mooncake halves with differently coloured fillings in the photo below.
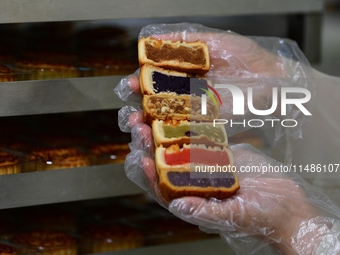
(172, 83)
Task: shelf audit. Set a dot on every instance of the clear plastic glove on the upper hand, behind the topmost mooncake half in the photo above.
(256, 62)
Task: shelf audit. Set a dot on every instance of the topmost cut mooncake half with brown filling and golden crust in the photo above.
(189, 57)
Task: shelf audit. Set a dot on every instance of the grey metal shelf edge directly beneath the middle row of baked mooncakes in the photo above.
(56, 186)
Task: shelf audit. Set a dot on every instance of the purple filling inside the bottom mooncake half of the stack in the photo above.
(183, 179)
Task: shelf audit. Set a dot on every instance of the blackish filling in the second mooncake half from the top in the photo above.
(177, 84)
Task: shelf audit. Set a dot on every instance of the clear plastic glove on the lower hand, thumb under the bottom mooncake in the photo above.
(271, 213)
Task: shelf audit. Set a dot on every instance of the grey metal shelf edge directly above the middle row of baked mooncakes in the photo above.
(55, 96)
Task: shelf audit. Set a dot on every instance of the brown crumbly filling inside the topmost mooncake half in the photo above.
(194, 55)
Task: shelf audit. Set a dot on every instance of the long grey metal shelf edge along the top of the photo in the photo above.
(15, 11)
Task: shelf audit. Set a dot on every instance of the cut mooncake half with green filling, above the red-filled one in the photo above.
(182, 132)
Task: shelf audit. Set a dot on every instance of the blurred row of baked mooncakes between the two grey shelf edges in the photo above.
(54, 158)
